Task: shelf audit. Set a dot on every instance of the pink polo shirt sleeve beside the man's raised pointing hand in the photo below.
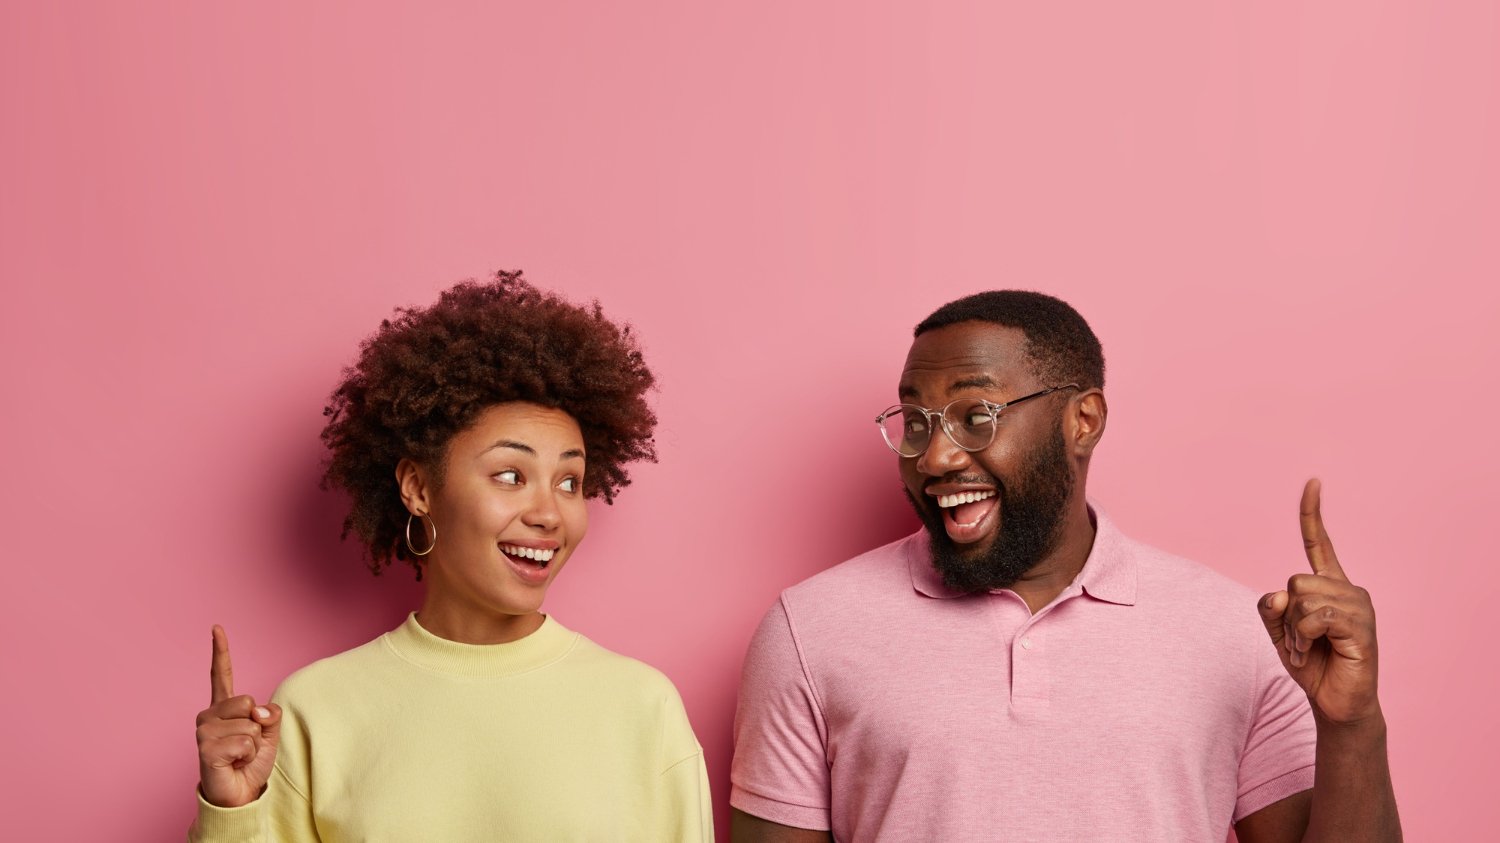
(1282, 748)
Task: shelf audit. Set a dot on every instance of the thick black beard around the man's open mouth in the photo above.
(1033, 508)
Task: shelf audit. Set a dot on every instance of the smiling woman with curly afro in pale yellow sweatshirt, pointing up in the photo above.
(469, 437)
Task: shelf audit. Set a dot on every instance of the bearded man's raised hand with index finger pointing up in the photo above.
(1325, 628)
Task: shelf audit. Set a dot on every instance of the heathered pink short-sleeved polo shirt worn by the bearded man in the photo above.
(1145, 703)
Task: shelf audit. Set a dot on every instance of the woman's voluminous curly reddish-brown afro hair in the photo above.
(428, 373)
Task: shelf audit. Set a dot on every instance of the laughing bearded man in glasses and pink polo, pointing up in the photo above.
(1022, 671)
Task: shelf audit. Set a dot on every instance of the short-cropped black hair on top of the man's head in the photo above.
(1060, 343)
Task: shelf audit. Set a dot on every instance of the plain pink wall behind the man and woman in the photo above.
(1280, 218)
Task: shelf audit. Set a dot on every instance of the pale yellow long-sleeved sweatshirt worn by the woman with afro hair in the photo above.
(413, 737)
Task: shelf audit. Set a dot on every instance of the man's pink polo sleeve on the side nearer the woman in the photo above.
(781, 766)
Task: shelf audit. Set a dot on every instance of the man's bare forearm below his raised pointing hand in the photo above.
(1352, 794)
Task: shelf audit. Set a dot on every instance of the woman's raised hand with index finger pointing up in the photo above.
(236, 739)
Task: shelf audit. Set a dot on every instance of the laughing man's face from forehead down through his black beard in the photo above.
(1016, 490)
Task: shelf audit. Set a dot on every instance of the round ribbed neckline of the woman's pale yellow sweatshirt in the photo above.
(412, 643)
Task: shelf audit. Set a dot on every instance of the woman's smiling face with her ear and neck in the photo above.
(509, 512)
